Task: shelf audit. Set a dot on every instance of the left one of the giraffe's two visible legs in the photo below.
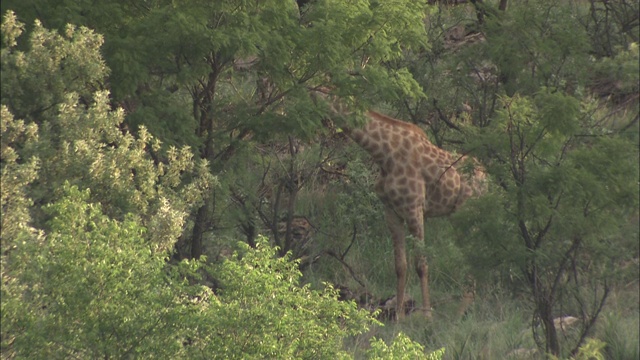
(396, 226)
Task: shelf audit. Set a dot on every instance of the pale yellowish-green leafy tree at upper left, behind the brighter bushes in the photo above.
(82, 143)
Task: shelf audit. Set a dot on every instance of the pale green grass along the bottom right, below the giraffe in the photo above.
(497, 326)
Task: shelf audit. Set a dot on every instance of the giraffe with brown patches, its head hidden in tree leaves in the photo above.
(417, 180)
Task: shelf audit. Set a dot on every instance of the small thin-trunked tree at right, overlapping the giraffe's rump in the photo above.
(567, 186)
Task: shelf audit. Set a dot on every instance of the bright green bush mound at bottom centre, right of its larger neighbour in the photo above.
(264, 311)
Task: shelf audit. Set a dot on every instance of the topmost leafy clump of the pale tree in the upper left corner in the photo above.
(36, 81)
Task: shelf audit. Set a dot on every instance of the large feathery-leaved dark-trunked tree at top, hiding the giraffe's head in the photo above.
(235, 73)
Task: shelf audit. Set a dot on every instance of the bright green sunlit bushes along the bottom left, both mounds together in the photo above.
(93, 287)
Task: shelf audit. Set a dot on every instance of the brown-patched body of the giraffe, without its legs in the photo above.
(417, 178)
